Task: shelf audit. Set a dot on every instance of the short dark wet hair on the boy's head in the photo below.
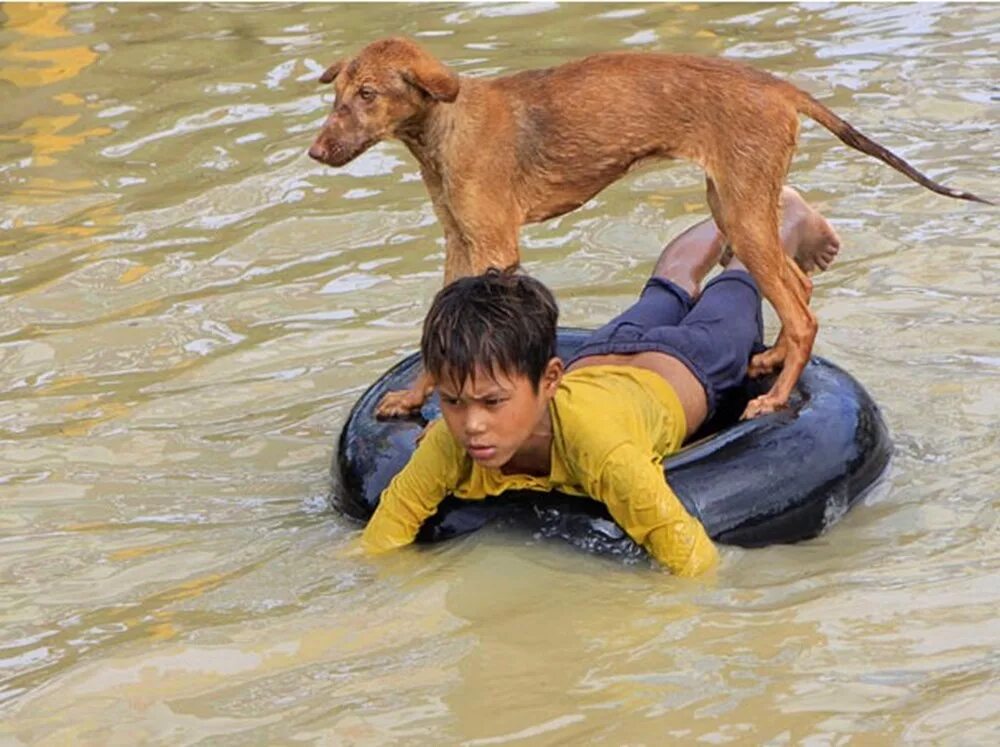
(500, 321)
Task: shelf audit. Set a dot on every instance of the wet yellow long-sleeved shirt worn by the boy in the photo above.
(612, 426)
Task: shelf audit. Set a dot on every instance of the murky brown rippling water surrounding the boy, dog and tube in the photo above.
(189, 306)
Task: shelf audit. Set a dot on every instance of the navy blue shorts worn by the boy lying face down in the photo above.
(713, 337)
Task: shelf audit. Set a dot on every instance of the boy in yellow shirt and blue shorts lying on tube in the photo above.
(515, 418)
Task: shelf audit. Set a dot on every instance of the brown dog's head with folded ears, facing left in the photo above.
(390, 83)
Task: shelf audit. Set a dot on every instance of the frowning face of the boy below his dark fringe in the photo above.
(493, 418)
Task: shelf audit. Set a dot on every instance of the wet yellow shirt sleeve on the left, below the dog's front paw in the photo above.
(414, 494)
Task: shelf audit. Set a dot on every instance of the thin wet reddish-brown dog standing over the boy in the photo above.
(498, 153)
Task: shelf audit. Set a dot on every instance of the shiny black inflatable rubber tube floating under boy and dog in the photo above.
(780, 478)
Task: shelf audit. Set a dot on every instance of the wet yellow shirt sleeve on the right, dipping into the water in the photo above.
(632, 485)
